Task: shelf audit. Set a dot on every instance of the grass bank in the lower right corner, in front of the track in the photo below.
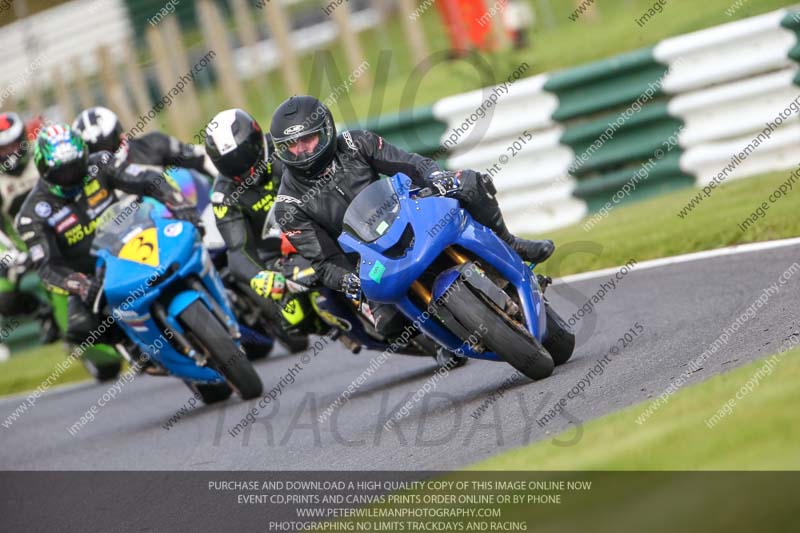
(714, 459)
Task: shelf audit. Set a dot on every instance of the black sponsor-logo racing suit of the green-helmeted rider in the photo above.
(59, 230)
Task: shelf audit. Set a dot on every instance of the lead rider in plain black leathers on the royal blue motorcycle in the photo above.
(325, 171)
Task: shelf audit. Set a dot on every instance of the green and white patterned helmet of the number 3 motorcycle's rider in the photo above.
(61, 157)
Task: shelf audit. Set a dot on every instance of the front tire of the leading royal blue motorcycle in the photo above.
(517, 348)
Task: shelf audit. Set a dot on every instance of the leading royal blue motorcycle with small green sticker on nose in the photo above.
(459, 283)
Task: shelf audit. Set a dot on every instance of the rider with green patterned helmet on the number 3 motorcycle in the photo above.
(58, 219)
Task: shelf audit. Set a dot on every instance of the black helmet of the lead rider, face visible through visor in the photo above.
(304, 134)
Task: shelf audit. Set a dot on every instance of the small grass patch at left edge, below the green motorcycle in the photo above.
(26, 370)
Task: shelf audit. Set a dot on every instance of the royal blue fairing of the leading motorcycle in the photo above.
(438, 223)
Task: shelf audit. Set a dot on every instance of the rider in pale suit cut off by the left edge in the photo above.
(18, 176)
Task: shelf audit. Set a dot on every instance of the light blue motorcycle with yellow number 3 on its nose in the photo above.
(161, 286)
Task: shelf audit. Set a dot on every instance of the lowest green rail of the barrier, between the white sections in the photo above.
(666, 175)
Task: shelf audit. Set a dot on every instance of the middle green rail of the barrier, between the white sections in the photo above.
(637, 139)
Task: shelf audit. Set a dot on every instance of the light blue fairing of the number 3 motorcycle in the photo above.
(132, 287)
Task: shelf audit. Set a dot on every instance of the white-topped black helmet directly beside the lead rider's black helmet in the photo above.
(236, 146)
